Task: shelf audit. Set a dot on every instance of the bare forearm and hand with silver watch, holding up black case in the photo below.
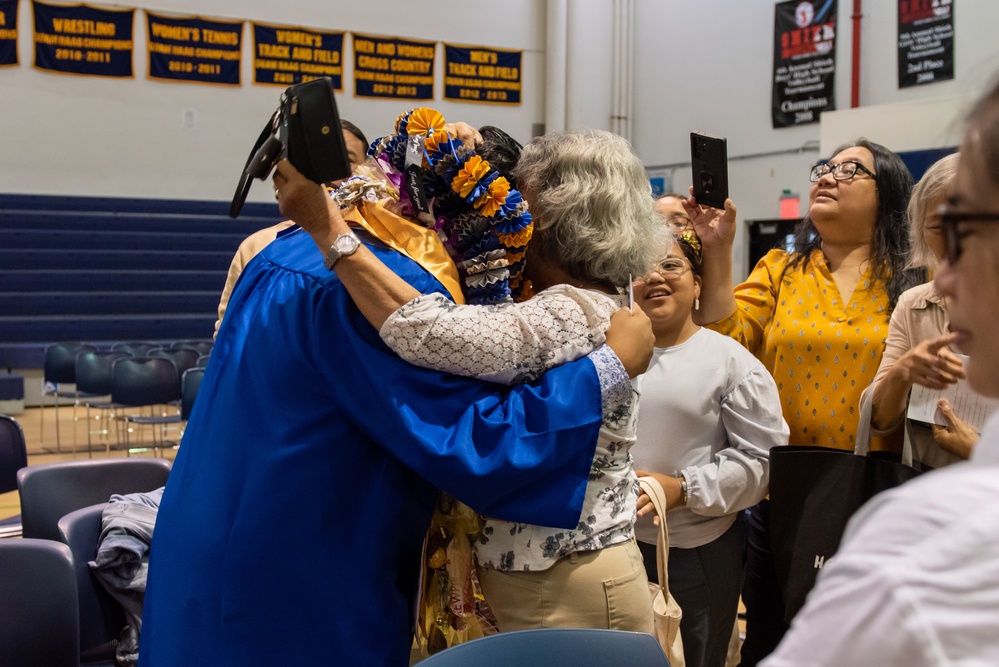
(375, 289)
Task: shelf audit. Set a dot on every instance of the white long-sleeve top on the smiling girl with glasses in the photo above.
(709, 410)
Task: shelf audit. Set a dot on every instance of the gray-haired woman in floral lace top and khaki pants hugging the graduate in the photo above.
(595, 228)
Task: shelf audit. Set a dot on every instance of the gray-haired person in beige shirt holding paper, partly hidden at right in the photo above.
(919, 349)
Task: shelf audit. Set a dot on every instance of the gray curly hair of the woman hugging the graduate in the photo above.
(594, 215)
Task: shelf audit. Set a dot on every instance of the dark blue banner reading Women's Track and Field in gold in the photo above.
(286, 56)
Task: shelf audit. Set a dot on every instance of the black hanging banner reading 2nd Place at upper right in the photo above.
(925, 41)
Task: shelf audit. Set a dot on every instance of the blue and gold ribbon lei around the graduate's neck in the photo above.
(483, 221)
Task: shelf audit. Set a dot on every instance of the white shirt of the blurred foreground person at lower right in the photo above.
(916, 580)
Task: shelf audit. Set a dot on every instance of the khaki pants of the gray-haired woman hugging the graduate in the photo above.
(593, 589)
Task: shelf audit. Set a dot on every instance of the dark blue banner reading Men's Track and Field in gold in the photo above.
(477, 74)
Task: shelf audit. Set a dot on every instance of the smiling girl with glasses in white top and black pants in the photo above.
(709, 414)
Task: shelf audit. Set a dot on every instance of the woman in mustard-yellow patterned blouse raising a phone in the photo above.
(817, 318)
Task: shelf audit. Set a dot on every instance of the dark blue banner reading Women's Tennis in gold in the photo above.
(194, 50)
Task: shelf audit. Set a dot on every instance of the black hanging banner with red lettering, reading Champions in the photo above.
(804, 61)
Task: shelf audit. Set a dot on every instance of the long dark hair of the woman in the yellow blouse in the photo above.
(890, 245)
